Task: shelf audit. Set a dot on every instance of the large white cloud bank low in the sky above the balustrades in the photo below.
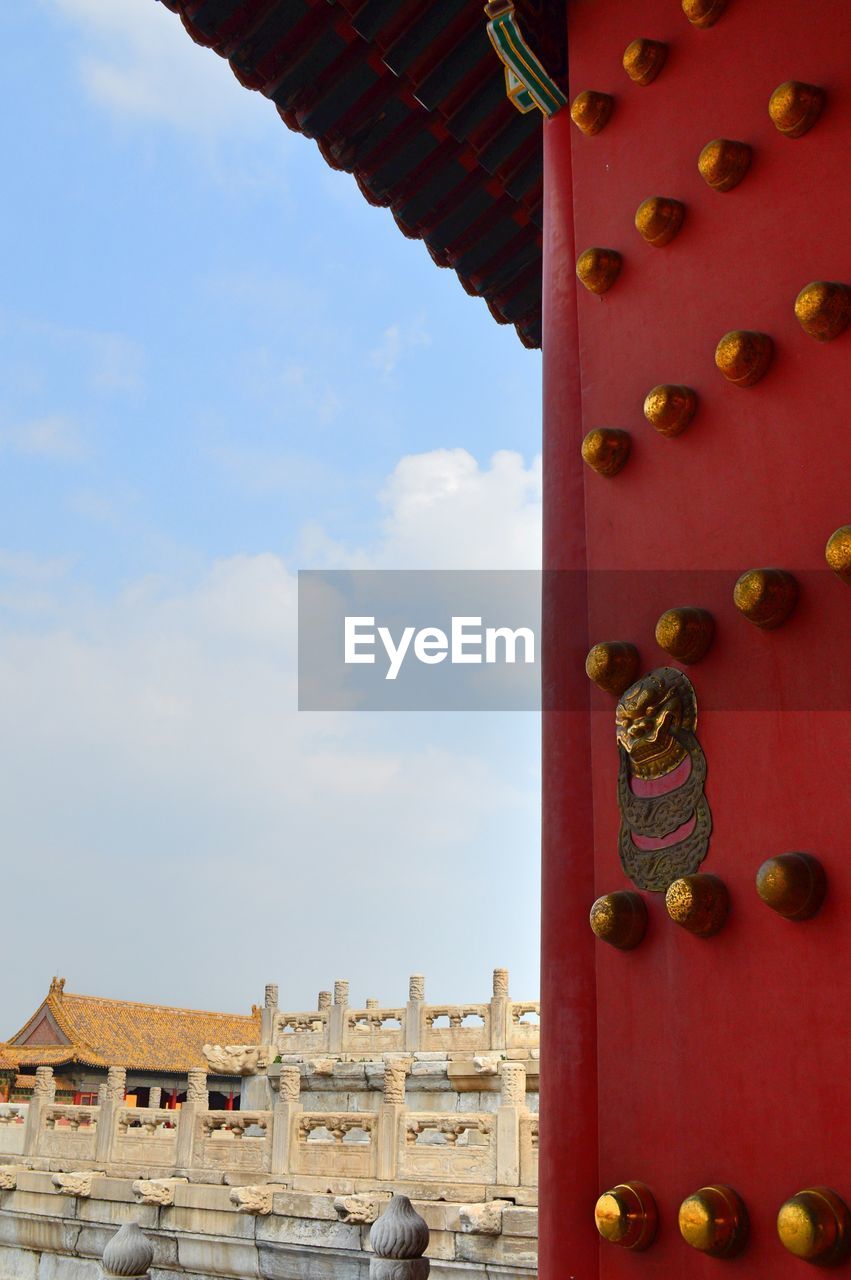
(161, 783)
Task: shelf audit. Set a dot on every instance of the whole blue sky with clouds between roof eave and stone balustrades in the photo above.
(221, 365)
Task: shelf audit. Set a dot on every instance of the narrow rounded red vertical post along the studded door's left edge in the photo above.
(569, 1141)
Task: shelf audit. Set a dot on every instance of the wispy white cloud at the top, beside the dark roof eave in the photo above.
(139, 62)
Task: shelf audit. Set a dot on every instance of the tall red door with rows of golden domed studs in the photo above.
(689, 1062)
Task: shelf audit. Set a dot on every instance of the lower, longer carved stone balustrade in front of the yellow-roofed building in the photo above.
(392, 1142)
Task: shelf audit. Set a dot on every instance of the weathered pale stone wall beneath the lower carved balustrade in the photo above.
(57, 1231)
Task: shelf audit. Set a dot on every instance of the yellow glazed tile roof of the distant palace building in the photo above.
(104, 1032)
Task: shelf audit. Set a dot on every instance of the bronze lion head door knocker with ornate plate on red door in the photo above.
(665, 817)
